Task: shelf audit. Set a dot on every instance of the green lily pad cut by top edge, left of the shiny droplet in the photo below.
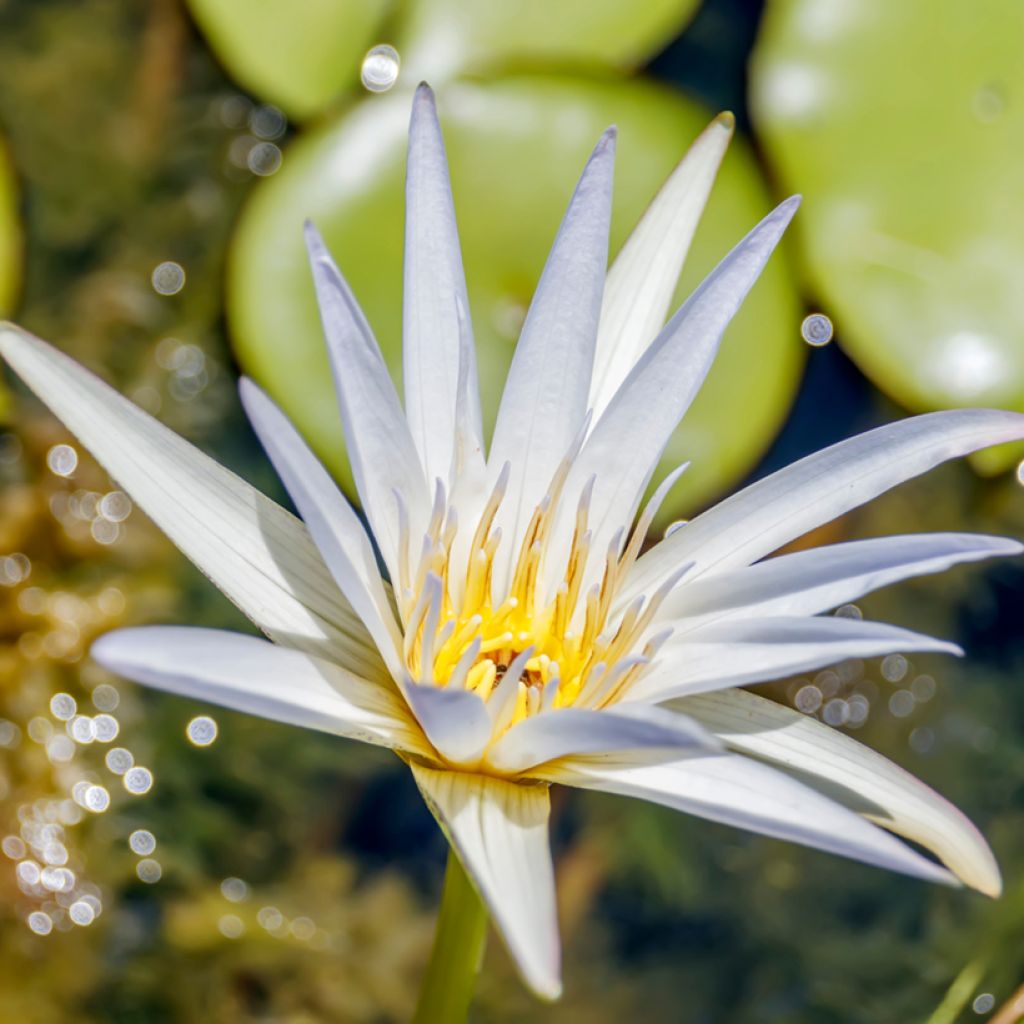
(298, 56)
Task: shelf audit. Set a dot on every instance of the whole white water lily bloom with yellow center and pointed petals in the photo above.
(524, 639)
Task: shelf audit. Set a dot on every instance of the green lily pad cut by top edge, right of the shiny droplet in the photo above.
(441, 38)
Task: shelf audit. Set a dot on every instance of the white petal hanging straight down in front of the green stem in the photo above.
(500, 832)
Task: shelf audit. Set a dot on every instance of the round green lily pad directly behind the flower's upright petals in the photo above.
(516, 148)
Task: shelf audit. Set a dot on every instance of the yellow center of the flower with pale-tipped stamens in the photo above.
(565, 650)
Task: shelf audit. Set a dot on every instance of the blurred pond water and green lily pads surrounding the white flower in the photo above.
(168, 863)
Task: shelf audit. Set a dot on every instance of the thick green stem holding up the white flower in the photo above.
(455, 960)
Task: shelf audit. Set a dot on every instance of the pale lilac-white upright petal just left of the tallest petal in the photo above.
(380, 448)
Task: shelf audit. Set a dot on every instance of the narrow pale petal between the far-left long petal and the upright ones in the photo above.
(335, 528)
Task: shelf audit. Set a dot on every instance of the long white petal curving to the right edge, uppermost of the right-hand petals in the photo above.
(761, 519)
